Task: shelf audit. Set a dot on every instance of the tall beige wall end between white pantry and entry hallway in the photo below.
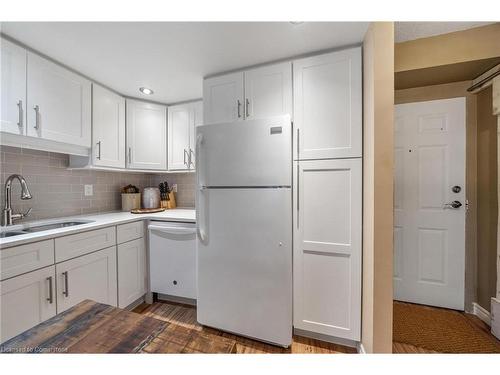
(378, 124)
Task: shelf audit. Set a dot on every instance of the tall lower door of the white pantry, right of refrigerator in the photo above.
(327, 247)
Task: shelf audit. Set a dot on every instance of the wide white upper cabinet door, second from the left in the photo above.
(63, 99)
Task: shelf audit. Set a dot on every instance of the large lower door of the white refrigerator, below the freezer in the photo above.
(245, 262)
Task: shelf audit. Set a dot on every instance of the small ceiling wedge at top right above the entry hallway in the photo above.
(404, 31)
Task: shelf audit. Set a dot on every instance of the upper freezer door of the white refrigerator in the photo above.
(245, 153)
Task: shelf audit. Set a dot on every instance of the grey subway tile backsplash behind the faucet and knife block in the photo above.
(58, 191)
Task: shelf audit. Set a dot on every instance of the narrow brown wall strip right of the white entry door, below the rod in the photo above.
(487, 185)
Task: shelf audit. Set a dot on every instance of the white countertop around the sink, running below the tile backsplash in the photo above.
(97, 221)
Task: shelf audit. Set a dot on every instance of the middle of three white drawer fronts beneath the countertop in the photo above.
(83, 243)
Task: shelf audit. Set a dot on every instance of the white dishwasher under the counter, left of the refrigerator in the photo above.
(172, 262)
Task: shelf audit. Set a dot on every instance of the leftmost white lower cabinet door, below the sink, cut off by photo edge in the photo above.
(26, 301)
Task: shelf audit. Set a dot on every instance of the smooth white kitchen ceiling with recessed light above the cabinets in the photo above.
(172, 57)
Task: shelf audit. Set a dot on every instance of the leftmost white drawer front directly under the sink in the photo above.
(21, 259)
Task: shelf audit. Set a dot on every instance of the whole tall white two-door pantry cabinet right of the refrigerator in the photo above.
(328, 194)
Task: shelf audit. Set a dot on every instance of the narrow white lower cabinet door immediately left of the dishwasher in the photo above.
(131, 272)
